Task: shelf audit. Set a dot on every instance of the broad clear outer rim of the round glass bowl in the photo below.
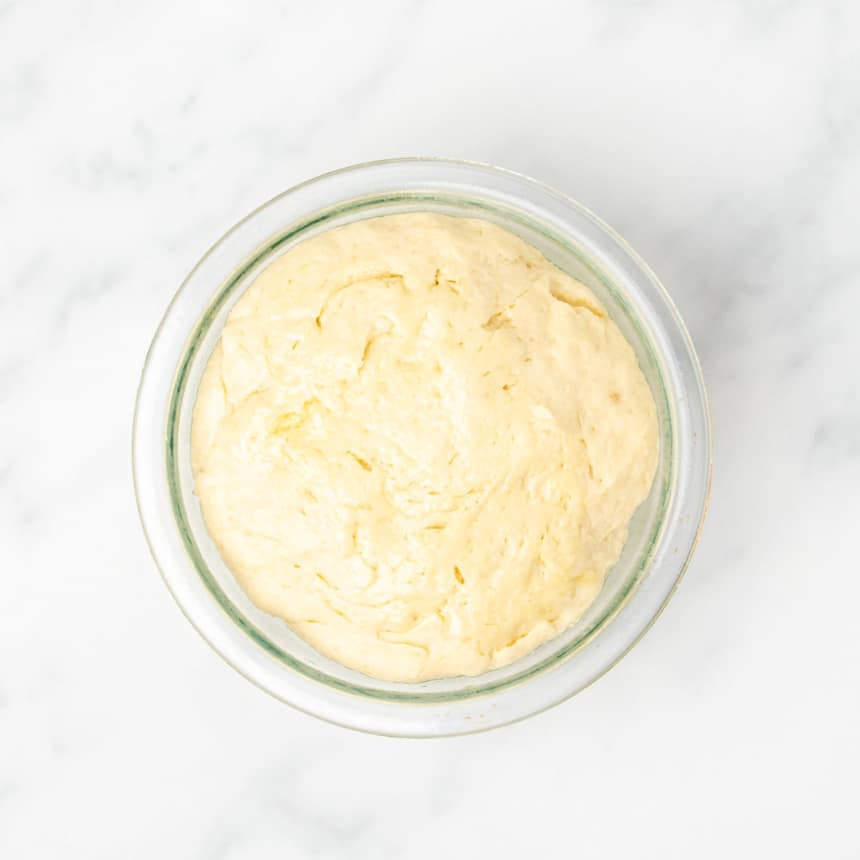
(154, 399)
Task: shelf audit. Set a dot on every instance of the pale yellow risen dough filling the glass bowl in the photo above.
(421, 444)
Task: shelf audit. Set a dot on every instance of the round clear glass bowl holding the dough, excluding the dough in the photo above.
(264, 649)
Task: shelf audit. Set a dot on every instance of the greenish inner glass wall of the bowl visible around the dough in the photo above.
(274, 635)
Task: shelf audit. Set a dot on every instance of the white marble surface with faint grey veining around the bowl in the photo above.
(721, 138)
